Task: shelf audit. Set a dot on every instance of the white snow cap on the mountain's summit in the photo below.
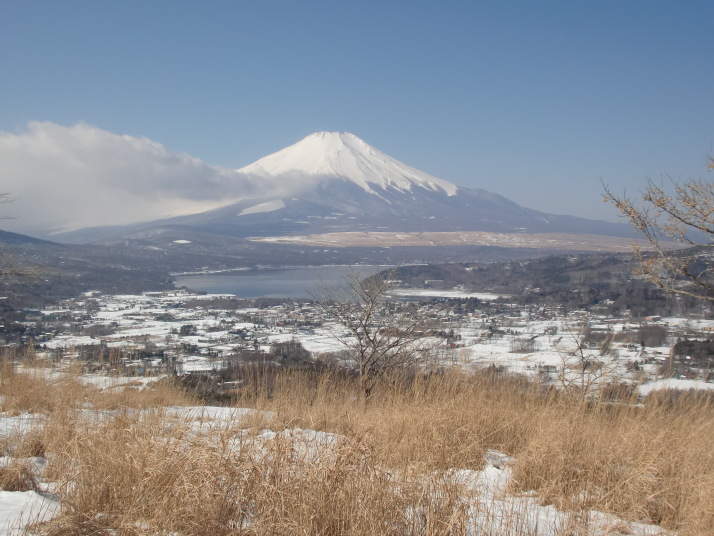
(342, 155)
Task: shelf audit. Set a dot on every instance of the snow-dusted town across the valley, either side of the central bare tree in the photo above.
(184, 333)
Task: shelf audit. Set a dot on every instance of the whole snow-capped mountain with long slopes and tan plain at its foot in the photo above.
(335, 184)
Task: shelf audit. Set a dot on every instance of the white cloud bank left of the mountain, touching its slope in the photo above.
(64, 178)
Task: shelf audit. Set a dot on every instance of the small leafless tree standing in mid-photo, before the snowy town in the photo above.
(378, 335)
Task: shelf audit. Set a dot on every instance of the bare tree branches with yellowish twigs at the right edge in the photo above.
(683, 217)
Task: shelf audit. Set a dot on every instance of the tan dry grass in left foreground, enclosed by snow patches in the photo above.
(131, 474)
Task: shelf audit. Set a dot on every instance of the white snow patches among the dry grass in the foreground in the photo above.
(491, 507)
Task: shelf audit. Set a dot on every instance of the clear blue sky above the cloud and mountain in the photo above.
(537, 101)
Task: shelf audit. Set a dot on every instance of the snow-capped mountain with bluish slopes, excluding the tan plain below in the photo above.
(332, 181)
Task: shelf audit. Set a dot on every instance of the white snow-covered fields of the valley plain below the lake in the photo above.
(481, 340)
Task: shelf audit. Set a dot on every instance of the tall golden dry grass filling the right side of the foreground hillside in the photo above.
(651, 462)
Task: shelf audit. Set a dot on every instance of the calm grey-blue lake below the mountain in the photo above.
(296, 283)
